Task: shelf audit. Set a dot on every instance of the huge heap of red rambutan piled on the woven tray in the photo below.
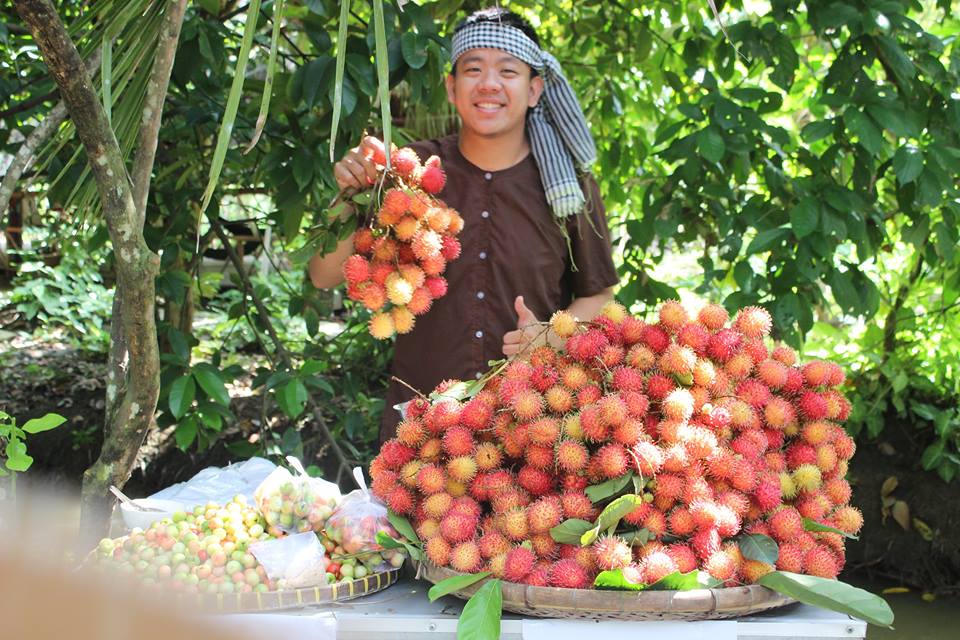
(719, 438)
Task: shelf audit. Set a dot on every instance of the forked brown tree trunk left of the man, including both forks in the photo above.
(134, 368)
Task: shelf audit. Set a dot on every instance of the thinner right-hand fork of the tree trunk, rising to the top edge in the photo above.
(153, 105)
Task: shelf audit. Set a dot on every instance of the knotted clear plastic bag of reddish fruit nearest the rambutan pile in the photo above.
(354, 525)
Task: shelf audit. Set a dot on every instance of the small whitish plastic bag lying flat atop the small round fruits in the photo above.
(293, 561)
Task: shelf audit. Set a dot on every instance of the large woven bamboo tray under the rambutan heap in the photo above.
(697, 604)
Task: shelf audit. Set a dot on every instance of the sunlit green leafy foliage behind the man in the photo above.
(803, 157)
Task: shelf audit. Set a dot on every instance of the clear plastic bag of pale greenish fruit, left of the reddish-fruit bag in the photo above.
(294, 503)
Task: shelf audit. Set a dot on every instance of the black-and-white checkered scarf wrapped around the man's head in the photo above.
(559, 136)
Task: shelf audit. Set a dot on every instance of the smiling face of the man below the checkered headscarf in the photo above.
(492, 91)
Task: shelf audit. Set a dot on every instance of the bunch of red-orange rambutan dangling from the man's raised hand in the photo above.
(397, 270)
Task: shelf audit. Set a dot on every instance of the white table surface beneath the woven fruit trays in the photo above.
(404, 612)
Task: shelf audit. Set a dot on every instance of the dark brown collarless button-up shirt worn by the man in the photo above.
(511, 245)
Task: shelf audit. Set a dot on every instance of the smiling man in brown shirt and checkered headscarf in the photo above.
(535, 237)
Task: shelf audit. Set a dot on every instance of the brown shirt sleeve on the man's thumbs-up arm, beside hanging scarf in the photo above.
(592, 269)
